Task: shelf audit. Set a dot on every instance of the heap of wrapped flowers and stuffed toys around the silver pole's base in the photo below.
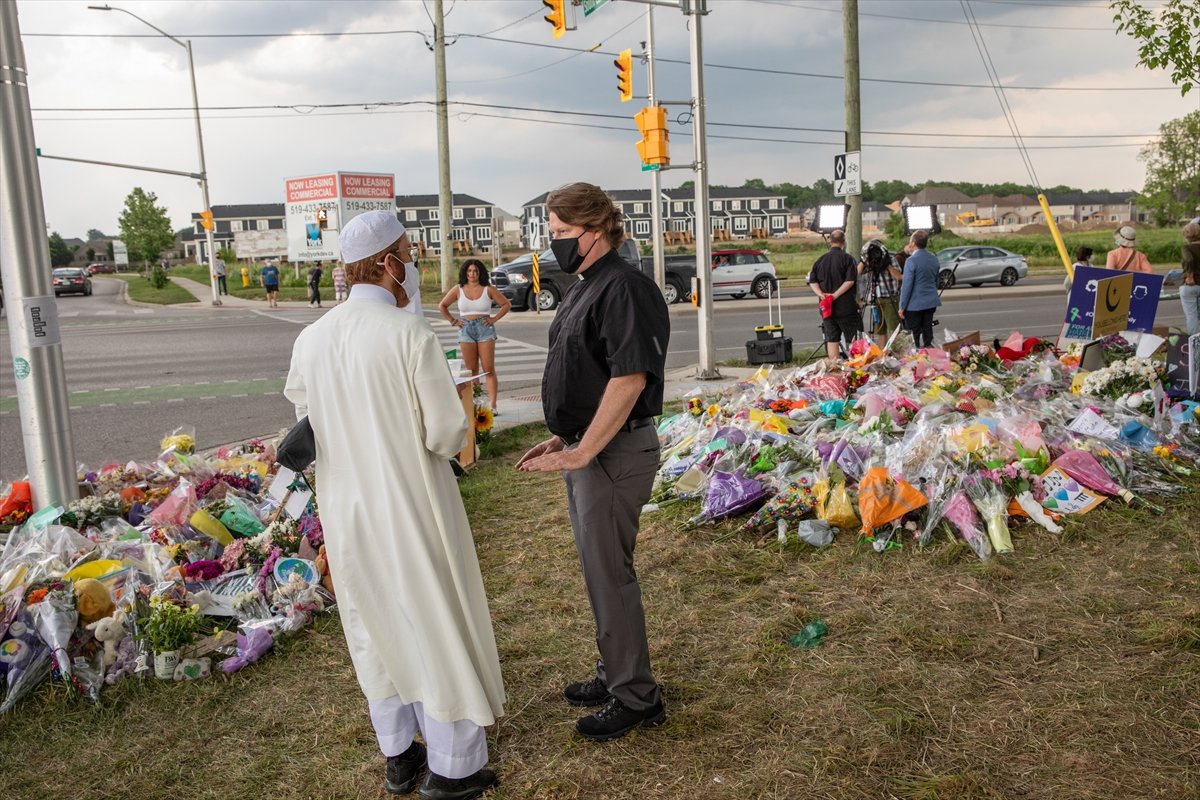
(171, 569)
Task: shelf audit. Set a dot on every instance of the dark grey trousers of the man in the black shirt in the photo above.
(605, 501)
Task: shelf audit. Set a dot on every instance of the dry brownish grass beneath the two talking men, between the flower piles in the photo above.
(1067, 670)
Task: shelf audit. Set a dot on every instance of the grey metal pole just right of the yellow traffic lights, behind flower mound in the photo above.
(707, 370)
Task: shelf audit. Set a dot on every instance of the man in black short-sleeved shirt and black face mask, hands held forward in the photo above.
(602, 389)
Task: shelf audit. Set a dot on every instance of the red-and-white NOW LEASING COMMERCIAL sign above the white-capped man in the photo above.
(319, 207)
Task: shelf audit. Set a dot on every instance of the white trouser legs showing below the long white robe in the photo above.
(455, 749)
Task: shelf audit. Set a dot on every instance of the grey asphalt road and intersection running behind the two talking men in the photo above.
(135, 374)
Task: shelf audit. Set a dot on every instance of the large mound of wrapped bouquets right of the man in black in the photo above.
(901, 444)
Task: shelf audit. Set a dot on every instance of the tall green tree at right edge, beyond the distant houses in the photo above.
(1173, 172)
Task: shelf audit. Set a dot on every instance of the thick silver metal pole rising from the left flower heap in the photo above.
(35, 342)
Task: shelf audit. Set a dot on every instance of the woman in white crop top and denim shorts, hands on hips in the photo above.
(477, 323)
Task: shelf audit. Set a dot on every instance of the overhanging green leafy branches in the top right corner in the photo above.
(1169, 41)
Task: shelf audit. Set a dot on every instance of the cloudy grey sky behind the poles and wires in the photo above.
(355, 94)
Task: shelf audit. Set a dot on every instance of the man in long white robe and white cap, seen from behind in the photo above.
(387, 419)
